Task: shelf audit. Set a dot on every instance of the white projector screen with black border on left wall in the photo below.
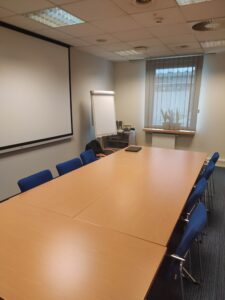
(35, 101)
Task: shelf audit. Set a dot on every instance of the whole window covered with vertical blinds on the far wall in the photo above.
(172, 92)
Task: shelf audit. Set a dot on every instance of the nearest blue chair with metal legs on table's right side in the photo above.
(192, 231)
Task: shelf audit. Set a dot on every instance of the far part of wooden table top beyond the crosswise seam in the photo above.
(161, 175)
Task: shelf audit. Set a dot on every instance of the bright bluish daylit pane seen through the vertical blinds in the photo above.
(173, 89)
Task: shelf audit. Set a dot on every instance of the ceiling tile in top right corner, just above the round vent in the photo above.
(205, 10)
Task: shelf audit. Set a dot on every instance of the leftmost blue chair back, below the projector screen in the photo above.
(34, 180)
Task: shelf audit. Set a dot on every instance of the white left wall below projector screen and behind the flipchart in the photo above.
(88, 72)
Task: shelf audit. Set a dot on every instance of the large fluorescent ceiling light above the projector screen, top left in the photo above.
(54, 17)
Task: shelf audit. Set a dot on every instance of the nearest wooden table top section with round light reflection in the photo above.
(47, 256)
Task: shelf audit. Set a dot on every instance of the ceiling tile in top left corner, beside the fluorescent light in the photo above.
(23, 6)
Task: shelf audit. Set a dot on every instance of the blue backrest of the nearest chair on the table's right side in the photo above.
(195, 225)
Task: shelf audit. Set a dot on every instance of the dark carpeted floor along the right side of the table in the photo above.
(213, 258)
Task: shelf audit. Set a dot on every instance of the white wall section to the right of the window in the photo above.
(210, 133)
